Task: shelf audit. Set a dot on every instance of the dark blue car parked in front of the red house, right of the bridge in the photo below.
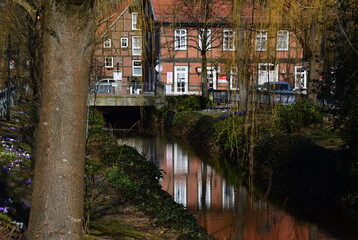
(278, 92)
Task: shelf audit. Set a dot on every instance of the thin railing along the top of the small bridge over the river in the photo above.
(123, 89)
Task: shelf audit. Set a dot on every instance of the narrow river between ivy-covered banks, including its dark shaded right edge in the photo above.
(230, 212)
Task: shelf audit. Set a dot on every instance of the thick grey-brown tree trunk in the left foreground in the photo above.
(57, 200)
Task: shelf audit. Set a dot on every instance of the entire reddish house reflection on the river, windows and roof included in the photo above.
(226, 213)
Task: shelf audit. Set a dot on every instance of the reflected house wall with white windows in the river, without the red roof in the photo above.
(193, 183)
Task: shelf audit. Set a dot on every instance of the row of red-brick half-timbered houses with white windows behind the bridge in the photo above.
(181, 44)
